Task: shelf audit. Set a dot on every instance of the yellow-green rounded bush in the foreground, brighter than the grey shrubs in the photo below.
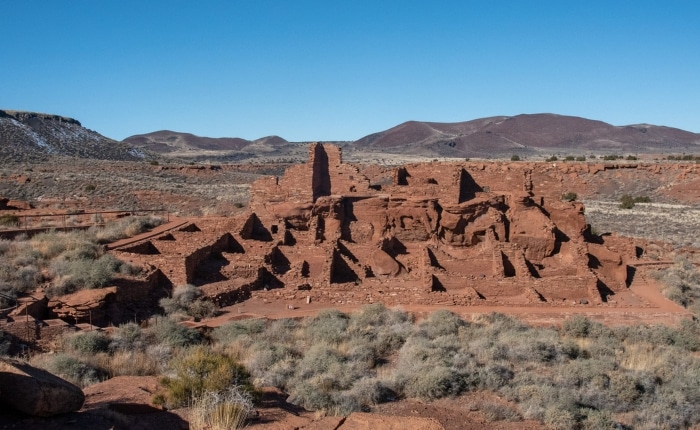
(199, 370)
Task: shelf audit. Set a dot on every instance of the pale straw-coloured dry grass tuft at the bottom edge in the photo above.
(226, 410)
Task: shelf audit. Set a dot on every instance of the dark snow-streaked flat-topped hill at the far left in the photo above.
(26, 136)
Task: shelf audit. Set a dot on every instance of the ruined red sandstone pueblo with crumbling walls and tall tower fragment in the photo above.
(434, 233)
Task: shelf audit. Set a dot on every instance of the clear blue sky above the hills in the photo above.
(339, 70)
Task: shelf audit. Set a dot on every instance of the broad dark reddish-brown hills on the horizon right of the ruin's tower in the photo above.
(526, 134)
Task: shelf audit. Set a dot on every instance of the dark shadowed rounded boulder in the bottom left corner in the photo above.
(35, 391)
